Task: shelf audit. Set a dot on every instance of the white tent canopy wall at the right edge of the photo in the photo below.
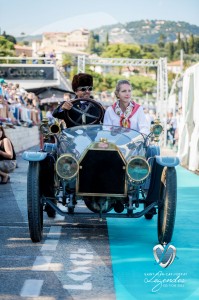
(189, 127)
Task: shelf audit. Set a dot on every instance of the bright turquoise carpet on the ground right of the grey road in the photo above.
(136, 273)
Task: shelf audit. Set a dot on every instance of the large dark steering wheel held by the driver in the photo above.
(85, 112)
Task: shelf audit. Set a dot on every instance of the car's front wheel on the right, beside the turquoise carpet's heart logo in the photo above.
(167, 205)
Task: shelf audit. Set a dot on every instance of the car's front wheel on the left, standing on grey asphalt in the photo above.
(34, 202)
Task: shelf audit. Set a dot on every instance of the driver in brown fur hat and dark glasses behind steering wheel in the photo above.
(82, 85)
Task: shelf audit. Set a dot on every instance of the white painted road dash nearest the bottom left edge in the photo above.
(31, 288)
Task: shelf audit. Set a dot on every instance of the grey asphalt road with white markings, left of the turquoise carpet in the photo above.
(50, 263)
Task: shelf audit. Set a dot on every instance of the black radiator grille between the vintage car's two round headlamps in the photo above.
(101, 172)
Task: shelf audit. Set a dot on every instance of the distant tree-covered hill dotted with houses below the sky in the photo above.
(146, 31)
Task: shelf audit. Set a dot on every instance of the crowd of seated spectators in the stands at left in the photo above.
(17, 106)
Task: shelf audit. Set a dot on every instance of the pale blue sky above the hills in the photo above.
(37, 16)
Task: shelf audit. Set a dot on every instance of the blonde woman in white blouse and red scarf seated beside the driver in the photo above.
(125, 112)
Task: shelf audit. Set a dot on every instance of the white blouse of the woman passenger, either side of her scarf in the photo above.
(138, 121)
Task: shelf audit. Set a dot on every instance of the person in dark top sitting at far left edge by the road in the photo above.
(7, 157)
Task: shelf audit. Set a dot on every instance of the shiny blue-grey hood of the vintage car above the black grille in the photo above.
(76, 139)
